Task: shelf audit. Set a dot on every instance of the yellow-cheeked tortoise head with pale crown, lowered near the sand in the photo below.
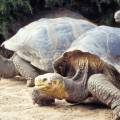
(51, 84)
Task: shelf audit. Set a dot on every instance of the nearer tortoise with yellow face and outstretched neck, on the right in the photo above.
(88, 68)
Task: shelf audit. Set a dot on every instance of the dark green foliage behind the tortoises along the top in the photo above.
(15, 13)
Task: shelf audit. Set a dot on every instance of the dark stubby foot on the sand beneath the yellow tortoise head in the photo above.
(42, 99)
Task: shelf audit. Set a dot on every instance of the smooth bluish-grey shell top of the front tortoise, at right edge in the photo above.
(102, 41)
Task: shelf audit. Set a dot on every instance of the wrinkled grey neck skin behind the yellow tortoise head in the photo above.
(76, 87)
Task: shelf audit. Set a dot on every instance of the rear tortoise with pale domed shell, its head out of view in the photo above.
(38, 44)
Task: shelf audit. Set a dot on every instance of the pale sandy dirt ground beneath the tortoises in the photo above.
(16, 104)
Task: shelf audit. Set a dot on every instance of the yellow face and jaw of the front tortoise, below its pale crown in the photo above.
(53, 88)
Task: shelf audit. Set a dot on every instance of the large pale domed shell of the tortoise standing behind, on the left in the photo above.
(44, 40)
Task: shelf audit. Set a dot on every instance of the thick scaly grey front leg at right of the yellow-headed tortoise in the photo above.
(100, 87)
